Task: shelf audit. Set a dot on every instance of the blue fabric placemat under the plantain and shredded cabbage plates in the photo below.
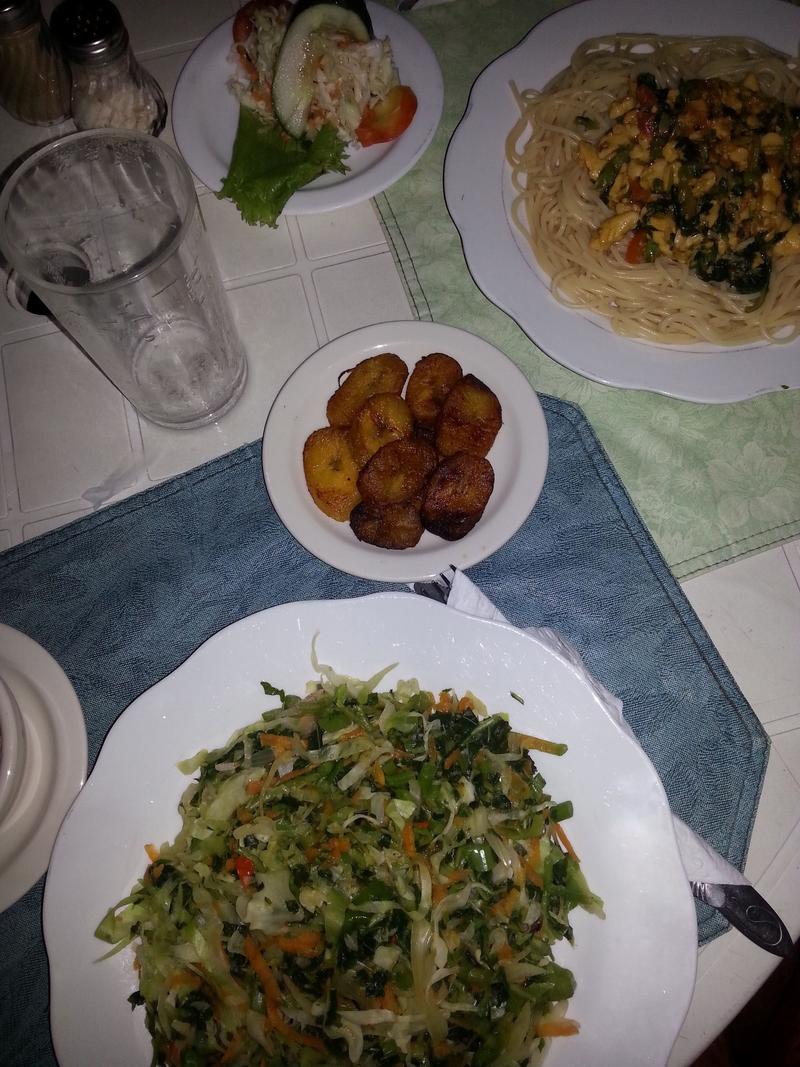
(121, 598)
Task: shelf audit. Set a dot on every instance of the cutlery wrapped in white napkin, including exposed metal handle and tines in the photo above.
(712, 879)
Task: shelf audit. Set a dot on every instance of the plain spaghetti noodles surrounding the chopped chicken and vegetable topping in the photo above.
(558, 210)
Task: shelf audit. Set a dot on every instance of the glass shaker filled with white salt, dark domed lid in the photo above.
(110, 89)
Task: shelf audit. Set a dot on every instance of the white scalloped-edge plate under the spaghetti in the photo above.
(479, 195)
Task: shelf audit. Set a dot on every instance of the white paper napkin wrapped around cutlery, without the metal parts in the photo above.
(701, 863)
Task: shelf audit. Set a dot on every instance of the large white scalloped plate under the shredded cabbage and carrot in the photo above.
(635, 970)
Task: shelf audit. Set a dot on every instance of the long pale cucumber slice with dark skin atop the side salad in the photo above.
(293, 84)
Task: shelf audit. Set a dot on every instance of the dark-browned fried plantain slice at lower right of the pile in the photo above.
(457, 496)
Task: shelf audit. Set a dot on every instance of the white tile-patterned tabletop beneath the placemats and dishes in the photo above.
(70, 443)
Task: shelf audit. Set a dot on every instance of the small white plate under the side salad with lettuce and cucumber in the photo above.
(205, 115)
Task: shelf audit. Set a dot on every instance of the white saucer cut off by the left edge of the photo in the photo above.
(56, 761)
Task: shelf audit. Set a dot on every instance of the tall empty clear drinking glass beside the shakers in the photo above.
(105, 228)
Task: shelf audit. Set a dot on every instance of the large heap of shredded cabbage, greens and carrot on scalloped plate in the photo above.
(361, 878)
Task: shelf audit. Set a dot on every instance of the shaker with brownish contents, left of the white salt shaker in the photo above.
(35, 79)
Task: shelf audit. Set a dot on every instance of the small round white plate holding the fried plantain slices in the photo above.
(519, 455)
